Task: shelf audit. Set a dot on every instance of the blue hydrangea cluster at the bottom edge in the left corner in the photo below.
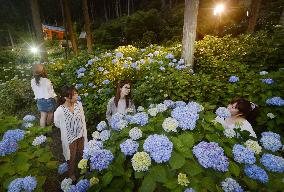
(26, 184)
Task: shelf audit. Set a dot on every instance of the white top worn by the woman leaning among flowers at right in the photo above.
(244, 126)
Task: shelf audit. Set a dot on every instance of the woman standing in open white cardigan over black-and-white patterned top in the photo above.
(70, 118)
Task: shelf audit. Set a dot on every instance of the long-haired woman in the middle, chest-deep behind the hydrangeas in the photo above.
(121, 101)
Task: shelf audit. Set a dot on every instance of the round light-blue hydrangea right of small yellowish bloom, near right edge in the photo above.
(270, 141)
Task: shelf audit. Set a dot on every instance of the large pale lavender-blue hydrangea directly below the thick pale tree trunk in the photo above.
(185, 117)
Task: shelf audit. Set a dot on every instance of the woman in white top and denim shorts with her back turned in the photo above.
(44, 94)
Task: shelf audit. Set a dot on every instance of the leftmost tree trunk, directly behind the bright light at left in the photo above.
(38, 29)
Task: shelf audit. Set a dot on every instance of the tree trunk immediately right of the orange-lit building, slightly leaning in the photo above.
(70, 27)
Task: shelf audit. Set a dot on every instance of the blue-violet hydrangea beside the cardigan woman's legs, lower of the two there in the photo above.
(101, 159)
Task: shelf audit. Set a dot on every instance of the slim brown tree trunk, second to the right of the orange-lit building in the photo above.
(87, 26)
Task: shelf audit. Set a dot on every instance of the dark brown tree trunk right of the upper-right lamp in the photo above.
(253, 15)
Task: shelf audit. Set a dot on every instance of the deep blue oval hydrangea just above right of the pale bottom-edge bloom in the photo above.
(256, 173)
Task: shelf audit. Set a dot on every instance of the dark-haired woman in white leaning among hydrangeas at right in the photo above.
(243, 113)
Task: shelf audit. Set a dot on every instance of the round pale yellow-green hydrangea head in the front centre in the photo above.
(141, 161)
